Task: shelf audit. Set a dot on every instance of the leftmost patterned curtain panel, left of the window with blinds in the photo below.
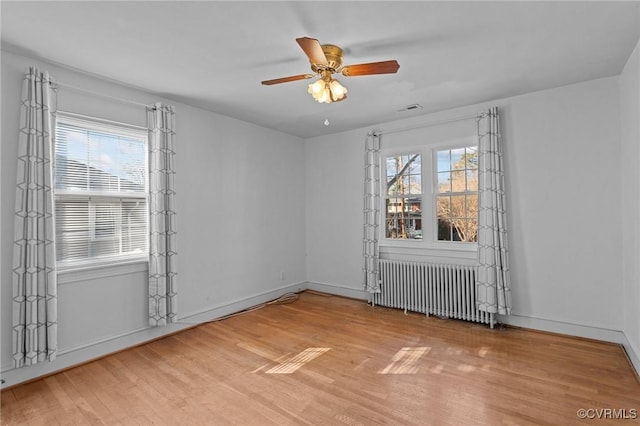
(35, 317)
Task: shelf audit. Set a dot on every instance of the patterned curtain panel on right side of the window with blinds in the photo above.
(162, 216)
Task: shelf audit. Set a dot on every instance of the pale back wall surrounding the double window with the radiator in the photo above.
(562, 149)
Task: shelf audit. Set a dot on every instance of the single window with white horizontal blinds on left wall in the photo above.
(100, 191)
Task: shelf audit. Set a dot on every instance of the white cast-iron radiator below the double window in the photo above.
(432, 289)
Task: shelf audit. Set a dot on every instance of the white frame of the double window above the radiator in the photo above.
(429, 244)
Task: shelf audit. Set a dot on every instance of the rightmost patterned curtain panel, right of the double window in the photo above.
(492, 285)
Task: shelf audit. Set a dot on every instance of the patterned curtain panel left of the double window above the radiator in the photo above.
(371, 213)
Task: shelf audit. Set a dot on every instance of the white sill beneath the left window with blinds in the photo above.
(85, 272)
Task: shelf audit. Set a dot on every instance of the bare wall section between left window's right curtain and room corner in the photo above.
(243, 217)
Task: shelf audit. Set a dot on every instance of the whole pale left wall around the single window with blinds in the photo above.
(241, 222)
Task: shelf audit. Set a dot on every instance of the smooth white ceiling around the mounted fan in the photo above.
(215, 54)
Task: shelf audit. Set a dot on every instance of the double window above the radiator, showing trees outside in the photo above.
(431, 194)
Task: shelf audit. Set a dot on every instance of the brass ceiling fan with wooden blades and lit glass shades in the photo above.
(326, 60)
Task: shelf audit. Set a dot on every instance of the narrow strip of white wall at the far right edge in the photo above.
(630, 108)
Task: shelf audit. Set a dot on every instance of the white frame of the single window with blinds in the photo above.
(113, 128)
